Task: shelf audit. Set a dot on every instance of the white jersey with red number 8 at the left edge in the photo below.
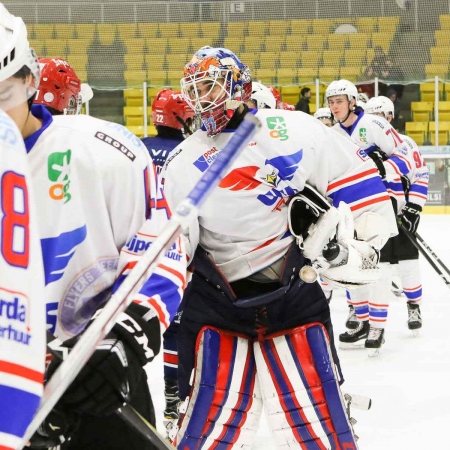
(22, 311)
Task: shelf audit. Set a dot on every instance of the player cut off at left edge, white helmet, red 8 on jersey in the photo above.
(22, 313)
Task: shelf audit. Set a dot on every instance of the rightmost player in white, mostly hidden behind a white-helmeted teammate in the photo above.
(410, 165)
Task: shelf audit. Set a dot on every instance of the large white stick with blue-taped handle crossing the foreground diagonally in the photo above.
(184, 213)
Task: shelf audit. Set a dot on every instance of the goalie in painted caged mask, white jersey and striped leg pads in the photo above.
(247, 313)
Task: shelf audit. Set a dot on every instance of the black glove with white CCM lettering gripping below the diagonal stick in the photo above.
(113, 372)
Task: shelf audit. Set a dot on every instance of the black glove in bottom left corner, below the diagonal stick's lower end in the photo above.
(58, 427)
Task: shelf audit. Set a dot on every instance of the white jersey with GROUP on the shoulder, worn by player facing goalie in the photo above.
(93, 181)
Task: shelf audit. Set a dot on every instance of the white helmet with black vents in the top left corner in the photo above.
(15, 53)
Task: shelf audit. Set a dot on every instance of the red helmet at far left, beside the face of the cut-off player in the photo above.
(59, 87)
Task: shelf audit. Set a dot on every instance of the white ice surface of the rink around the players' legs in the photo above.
(408, 382)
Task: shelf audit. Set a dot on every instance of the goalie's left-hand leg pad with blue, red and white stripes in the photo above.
(224, 408)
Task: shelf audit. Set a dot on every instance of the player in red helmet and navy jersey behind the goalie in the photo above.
(173, 119)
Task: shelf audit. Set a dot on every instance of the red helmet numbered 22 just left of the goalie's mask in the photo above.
(170, 109)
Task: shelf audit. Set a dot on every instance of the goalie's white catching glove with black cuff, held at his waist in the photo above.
(320, 223)
